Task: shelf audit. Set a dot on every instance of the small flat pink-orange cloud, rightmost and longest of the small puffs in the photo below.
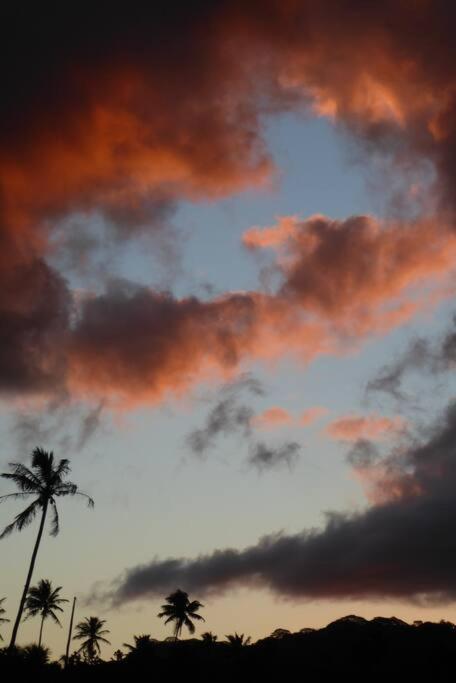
(356, 427)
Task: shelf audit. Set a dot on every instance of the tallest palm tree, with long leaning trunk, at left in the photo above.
(44, 481)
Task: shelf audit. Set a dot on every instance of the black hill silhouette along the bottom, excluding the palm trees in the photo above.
(380, 649)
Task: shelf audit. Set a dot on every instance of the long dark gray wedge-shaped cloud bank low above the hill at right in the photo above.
(403, 548)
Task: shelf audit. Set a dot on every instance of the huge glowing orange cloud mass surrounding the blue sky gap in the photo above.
(151, 107)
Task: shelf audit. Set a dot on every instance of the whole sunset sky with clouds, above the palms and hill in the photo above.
(226, 296)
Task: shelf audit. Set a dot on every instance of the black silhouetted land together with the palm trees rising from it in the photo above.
(383, 649)
